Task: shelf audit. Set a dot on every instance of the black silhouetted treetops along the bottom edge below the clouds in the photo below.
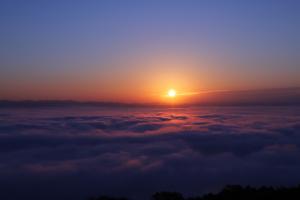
(230, 192)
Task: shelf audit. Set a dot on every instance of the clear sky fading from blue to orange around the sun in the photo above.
(134, 51)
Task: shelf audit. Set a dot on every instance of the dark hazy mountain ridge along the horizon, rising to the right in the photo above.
(263, 97)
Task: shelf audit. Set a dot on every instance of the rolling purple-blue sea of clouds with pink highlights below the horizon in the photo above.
(75, 153)
